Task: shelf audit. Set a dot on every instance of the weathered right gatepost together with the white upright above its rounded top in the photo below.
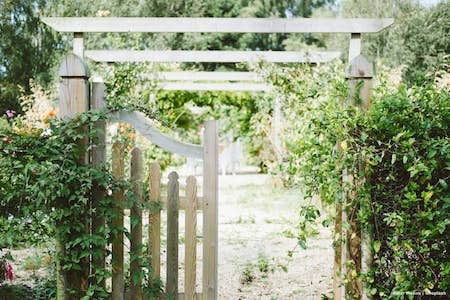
(351, 255)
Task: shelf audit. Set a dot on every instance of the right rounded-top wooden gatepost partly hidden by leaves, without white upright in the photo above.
(359, 75)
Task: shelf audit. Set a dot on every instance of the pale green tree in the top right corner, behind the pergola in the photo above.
(418, 39)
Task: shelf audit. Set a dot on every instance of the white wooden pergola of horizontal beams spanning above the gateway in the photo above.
(224, 82)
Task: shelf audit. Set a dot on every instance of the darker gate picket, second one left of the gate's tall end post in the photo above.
(173, 198)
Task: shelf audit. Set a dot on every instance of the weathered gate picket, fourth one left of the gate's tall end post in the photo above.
(136, 175)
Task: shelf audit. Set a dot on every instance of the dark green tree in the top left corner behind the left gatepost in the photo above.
(27, 50)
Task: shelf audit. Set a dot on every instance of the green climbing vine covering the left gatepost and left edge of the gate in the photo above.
(44, 181)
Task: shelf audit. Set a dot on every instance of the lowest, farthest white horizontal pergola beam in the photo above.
(225, 86)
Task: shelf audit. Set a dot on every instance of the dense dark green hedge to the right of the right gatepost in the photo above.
(405, 141)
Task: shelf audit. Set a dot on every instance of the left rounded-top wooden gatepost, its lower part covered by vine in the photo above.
(73, 99)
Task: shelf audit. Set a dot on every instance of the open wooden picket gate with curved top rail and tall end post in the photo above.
(170, 202)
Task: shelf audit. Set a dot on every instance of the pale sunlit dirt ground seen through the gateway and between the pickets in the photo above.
(256, 232)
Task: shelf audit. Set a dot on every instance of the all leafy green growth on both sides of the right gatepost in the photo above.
(401, 146)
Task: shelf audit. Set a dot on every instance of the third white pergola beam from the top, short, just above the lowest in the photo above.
(207, 76)
